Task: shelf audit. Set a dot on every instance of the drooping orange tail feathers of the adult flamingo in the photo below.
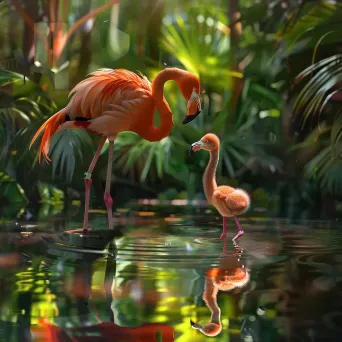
(49, 127)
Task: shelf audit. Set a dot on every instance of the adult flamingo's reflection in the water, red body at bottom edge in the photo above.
(103, 331)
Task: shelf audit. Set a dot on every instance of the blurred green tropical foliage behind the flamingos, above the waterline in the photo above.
(278, 140)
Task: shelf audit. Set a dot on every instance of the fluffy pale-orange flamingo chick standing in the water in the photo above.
(228, 201)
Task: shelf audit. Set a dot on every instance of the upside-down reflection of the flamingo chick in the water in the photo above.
(230, 274)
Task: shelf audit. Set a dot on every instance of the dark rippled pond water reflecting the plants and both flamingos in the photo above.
(153, 269)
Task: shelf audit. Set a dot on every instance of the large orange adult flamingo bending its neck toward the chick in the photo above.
(113, 101)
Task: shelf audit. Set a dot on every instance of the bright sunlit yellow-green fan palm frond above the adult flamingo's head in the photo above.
(198, 43)
